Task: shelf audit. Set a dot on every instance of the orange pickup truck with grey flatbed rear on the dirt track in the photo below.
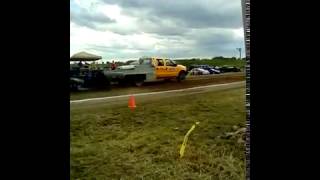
(147, 69)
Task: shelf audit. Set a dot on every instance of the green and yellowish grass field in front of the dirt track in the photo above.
(111, 142)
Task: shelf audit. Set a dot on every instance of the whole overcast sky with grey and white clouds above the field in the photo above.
(129, 29)
